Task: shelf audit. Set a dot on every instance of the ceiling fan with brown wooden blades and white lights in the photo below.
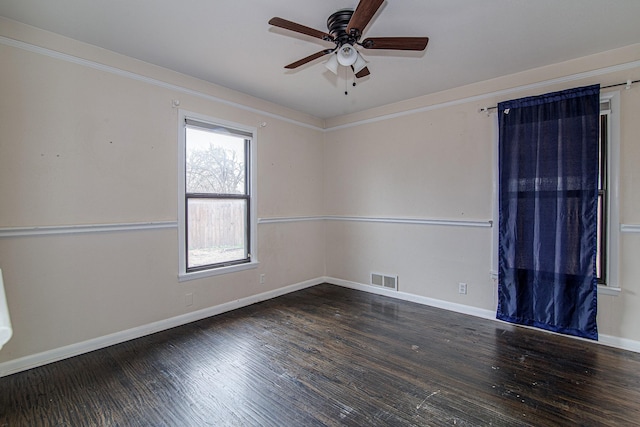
(345, 29)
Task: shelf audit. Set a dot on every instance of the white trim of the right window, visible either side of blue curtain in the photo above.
(613, 286)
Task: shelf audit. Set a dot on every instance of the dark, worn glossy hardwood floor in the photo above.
(333, 356)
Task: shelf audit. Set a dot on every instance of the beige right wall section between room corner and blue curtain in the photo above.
(424, 166)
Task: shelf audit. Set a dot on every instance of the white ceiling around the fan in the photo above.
(229, 42)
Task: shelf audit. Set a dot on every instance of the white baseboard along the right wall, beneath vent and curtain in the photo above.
(608, 340)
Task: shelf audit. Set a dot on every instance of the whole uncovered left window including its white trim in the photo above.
(216, 197)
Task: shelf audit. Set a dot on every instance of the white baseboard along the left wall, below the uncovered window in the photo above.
(50, 356)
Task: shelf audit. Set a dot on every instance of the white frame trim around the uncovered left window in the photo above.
(183, 275)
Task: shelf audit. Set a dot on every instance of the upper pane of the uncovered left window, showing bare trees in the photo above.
(215, 162)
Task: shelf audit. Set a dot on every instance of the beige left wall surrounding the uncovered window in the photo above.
(89, 143)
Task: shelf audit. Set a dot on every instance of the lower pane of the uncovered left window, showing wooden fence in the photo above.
(216, 231)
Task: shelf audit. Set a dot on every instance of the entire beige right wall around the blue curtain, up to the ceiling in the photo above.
(432, 158)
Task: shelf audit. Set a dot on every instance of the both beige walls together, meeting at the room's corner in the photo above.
(86, 144)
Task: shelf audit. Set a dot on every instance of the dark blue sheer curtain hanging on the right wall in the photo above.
(548, 190)
